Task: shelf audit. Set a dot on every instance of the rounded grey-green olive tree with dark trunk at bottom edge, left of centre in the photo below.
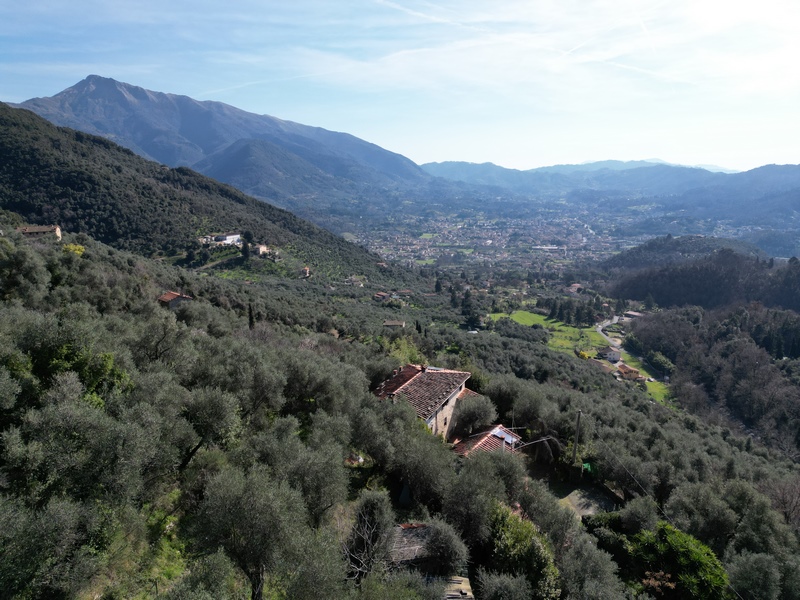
(257, 521)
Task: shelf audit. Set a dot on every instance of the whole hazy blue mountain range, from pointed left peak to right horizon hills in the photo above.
(344, 183)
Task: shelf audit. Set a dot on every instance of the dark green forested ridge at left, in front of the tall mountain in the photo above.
(89, 184)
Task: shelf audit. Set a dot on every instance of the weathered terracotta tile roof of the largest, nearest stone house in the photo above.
(426, 389)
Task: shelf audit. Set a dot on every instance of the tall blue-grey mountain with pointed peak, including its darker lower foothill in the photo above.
(291, 165)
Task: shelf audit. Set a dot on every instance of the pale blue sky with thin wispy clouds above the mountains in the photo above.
(519, 83)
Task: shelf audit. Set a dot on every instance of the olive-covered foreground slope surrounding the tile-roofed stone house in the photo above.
(205, 453)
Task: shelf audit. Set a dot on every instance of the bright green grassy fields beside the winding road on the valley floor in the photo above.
(565, 338)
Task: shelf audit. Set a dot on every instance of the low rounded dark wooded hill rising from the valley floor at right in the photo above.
(670, 250)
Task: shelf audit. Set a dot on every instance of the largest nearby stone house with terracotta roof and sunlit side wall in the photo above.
(431, 391)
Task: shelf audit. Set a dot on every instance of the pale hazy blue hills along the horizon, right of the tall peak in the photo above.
(768, 196)
